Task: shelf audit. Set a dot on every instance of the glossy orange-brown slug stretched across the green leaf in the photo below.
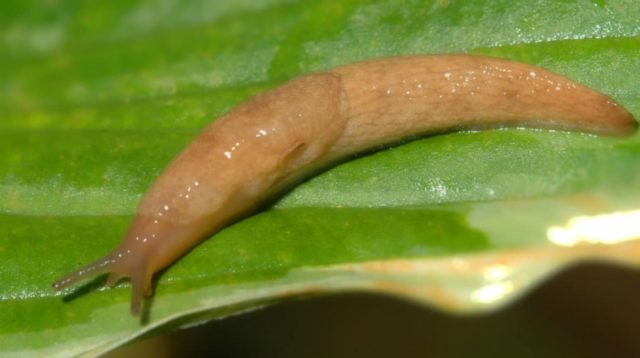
(268, 143)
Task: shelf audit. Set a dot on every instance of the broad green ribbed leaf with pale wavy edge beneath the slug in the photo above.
(97, 97)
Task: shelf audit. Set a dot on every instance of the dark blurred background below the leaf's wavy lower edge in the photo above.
(591, 310)
